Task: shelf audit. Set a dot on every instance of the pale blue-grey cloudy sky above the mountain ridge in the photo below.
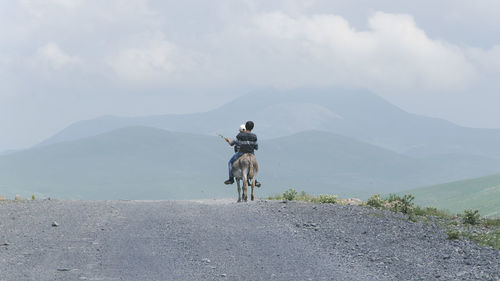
(66, 60)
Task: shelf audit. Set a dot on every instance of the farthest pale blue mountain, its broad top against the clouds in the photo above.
(353, 113)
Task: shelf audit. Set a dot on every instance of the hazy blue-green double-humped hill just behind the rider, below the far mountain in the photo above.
(150, 163)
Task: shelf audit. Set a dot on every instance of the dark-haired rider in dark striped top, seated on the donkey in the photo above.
(247, 142)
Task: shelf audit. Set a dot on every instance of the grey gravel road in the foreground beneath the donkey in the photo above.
(223, 240)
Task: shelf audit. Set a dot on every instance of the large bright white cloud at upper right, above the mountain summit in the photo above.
(392, 55)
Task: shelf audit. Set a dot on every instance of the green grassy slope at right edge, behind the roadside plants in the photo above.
(479, 193)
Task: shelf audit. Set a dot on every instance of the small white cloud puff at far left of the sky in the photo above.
(51, 55)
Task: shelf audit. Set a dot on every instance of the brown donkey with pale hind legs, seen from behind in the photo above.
(245, 168)
